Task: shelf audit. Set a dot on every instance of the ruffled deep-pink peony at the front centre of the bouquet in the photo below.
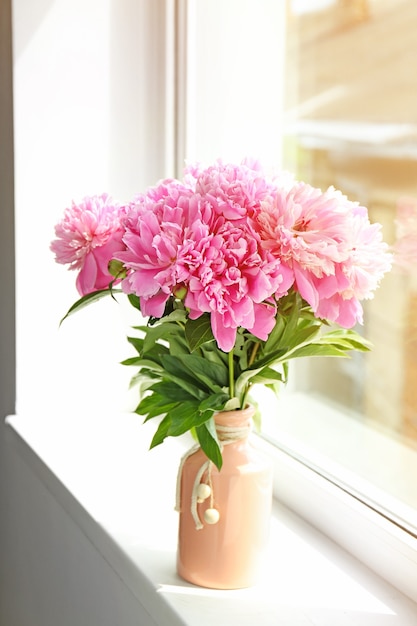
(229, 276)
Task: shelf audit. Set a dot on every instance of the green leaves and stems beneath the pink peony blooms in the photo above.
(184, 378)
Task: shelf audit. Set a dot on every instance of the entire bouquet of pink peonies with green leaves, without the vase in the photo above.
(238, 272)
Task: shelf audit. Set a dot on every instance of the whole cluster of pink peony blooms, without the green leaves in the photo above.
(230, 241)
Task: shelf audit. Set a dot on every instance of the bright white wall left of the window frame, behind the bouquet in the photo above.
(90, 116)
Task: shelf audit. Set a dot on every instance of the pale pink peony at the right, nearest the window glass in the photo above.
(337, 256)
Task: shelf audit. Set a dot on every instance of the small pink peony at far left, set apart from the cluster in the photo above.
(87, 238)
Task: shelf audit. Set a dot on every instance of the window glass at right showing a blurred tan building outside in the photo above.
(351, 122)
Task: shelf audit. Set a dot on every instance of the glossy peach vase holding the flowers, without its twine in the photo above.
(227, 554)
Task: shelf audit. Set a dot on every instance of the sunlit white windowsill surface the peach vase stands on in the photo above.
(122, 495)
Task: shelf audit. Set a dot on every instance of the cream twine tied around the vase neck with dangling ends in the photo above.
(226, 435)
